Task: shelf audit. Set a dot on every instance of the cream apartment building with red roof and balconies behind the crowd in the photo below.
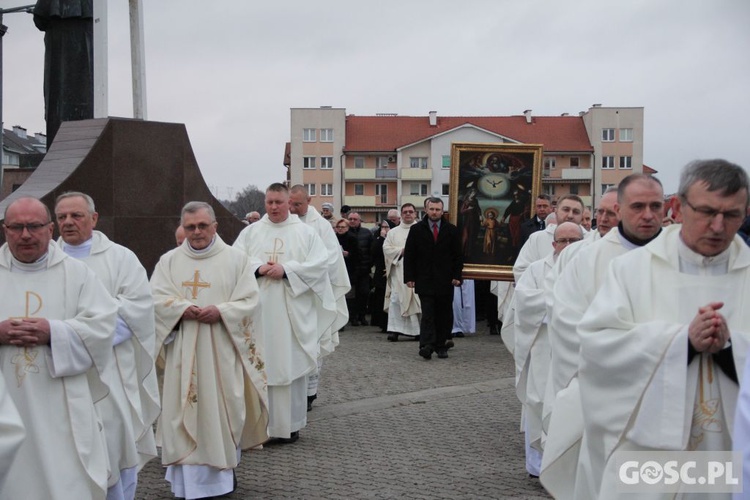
(375, 163)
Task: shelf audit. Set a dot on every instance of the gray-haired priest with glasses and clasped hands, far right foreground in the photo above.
(665, 339)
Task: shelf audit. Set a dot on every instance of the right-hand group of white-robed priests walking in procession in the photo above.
(631, 337)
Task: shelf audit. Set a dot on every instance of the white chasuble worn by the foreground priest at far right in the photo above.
(634, 344)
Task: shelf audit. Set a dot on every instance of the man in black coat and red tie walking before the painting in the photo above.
(432, 266)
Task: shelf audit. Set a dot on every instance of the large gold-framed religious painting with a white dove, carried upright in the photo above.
(492, 192)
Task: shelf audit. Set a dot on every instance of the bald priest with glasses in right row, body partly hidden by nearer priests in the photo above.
(531, 351)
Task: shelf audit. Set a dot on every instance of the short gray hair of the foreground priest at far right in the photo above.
(719, 175)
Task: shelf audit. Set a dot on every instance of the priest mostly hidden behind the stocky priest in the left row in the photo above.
(299, 204)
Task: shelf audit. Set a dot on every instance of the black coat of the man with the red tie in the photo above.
(433, 265)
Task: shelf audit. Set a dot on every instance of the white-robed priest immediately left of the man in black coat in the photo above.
(402, 304)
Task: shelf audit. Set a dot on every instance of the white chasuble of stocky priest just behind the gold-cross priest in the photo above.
(297, 307)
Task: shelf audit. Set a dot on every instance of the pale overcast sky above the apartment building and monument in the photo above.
(230, 70)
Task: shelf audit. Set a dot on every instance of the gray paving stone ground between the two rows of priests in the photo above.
(389, 424)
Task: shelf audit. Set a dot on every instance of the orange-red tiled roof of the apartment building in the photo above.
(388, 133)
